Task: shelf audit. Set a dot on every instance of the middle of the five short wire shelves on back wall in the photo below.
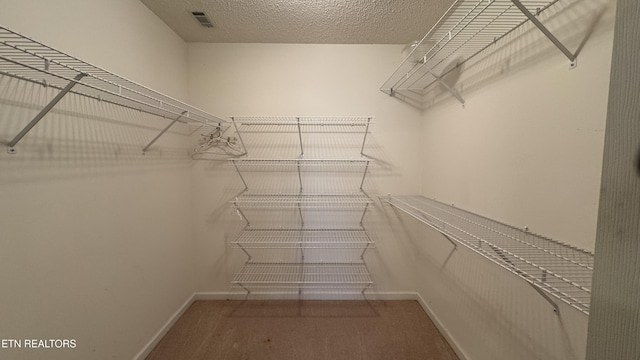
(302, 201)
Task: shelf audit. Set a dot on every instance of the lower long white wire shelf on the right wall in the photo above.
(560, 270)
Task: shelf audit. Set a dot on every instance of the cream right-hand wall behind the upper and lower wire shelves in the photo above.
(525, 150)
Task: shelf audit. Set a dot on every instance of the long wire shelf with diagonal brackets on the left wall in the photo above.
(26, 59)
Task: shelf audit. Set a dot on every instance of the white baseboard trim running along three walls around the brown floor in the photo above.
(146, 350)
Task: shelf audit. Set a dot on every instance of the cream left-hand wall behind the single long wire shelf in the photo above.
(96, 239)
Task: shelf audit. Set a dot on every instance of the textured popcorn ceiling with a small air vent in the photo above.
(302, 21)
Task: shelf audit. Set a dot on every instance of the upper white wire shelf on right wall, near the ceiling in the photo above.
(465, 30)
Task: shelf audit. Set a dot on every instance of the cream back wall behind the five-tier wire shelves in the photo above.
(278, 79)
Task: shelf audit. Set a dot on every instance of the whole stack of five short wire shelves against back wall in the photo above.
(325, 211)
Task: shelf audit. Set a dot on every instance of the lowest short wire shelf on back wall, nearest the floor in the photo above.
(303, 275)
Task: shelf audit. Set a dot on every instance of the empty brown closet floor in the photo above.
(280, 330)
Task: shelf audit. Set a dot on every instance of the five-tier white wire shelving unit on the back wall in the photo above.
(302, 274)
